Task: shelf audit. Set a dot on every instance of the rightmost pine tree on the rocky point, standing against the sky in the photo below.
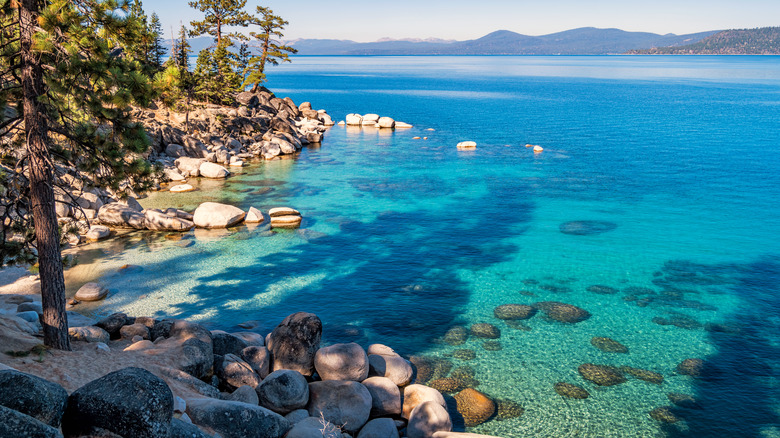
(272, 51)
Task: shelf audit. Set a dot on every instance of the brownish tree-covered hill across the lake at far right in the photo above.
(761, 41)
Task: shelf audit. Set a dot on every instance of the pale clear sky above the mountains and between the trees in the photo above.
(468, 19)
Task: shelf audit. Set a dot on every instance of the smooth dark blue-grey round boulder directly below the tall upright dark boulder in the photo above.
(283, 391)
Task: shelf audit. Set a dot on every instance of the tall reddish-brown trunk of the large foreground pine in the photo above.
(55, 322)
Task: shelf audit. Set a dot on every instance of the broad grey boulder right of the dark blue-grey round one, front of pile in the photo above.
(340, 402)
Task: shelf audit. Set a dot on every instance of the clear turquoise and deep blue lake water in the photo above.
(403, 238)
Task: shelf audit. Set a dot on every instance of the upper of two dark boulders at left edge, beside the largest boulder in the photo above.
(33, 396)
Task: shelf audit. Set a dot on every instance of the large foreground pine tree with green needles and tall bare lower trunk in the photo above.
(69, 94)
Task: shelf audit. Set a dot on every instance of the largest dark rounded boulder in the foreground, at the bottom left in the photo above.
(131, 402)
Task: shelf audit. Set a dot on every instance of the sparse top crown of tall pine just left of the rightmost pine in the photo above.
(219, 14)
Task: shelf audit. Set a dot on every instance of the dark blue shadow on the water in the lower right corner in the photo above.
(738, 395)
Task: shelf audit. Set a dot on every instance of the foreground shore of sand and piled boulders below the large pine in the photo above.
(144, 377)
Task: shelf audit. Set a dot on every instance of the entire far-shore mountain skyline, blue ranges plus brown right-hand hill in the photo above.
(582, 41)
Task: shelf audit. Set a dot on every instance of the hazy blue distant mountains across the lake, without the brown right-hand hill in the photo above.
(582, 41)
